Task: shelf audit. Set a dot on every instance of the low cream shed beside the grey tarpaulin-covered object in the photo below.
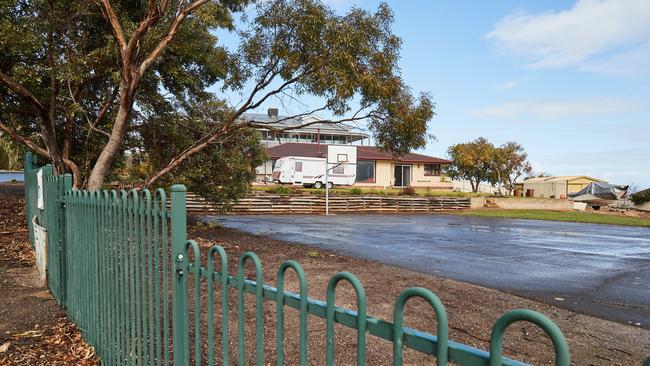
(556, 187)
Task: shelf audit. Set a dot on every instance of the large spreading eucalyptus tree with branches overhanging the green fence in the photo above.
(82, 81)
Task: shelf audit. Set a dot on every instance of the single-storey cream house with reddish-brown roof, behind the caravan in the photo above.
(375, 168)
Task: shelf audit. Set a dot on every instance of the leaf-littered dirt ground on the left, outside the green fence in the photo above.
(33, 328)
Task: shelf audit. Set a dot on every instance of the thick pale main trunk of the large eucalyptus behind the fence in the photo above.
(114, 144)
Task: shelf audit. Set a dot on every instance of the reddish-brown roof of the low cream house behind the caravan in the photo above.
(363, 153)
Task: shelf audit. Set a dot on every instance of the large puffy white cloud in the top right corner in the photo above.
(594, 35)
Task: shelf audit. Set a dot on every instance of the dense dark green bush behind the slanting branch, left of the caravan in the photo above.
(221, 173)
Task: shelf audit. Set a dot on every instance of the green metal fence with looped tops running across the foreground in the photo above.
(121, 265)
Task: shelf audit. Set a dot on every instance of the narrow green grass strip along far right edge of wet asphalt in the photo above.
(593, 218)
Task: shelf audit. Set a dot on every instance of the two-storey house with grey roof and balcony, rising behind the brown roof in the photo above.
(305, 129)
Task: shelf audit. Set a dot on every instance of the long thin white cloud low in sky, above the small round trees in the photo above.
(553, 109)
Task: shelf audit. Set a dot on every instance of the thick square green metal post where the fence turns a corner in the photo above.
(180, 328)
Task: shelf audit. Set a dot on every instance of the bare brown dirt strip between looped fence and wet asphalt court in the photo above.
(472, 310)
